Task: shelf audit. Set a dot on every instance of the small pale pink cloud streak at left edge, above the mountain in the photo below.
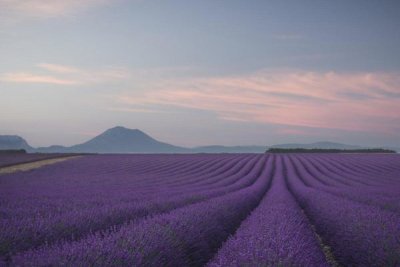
(66, 75)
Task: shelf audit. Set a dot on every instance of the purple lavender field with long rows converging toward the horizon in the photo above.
(204, 210)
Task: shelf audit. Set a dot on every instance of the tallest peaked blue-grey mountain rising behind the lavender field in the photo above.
(123, 140)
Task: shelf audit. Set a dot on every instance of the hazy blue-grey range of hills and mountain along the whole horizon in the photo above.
(123, 140)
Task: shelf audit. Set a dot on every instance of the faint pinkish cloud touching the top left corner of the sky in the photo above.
(46, 8)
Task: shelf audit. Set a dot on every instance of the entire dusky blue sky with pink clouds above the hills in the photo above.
(201, 72)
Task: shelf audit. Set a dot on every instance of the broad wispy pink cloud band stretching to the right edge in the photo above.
(310, 99)
